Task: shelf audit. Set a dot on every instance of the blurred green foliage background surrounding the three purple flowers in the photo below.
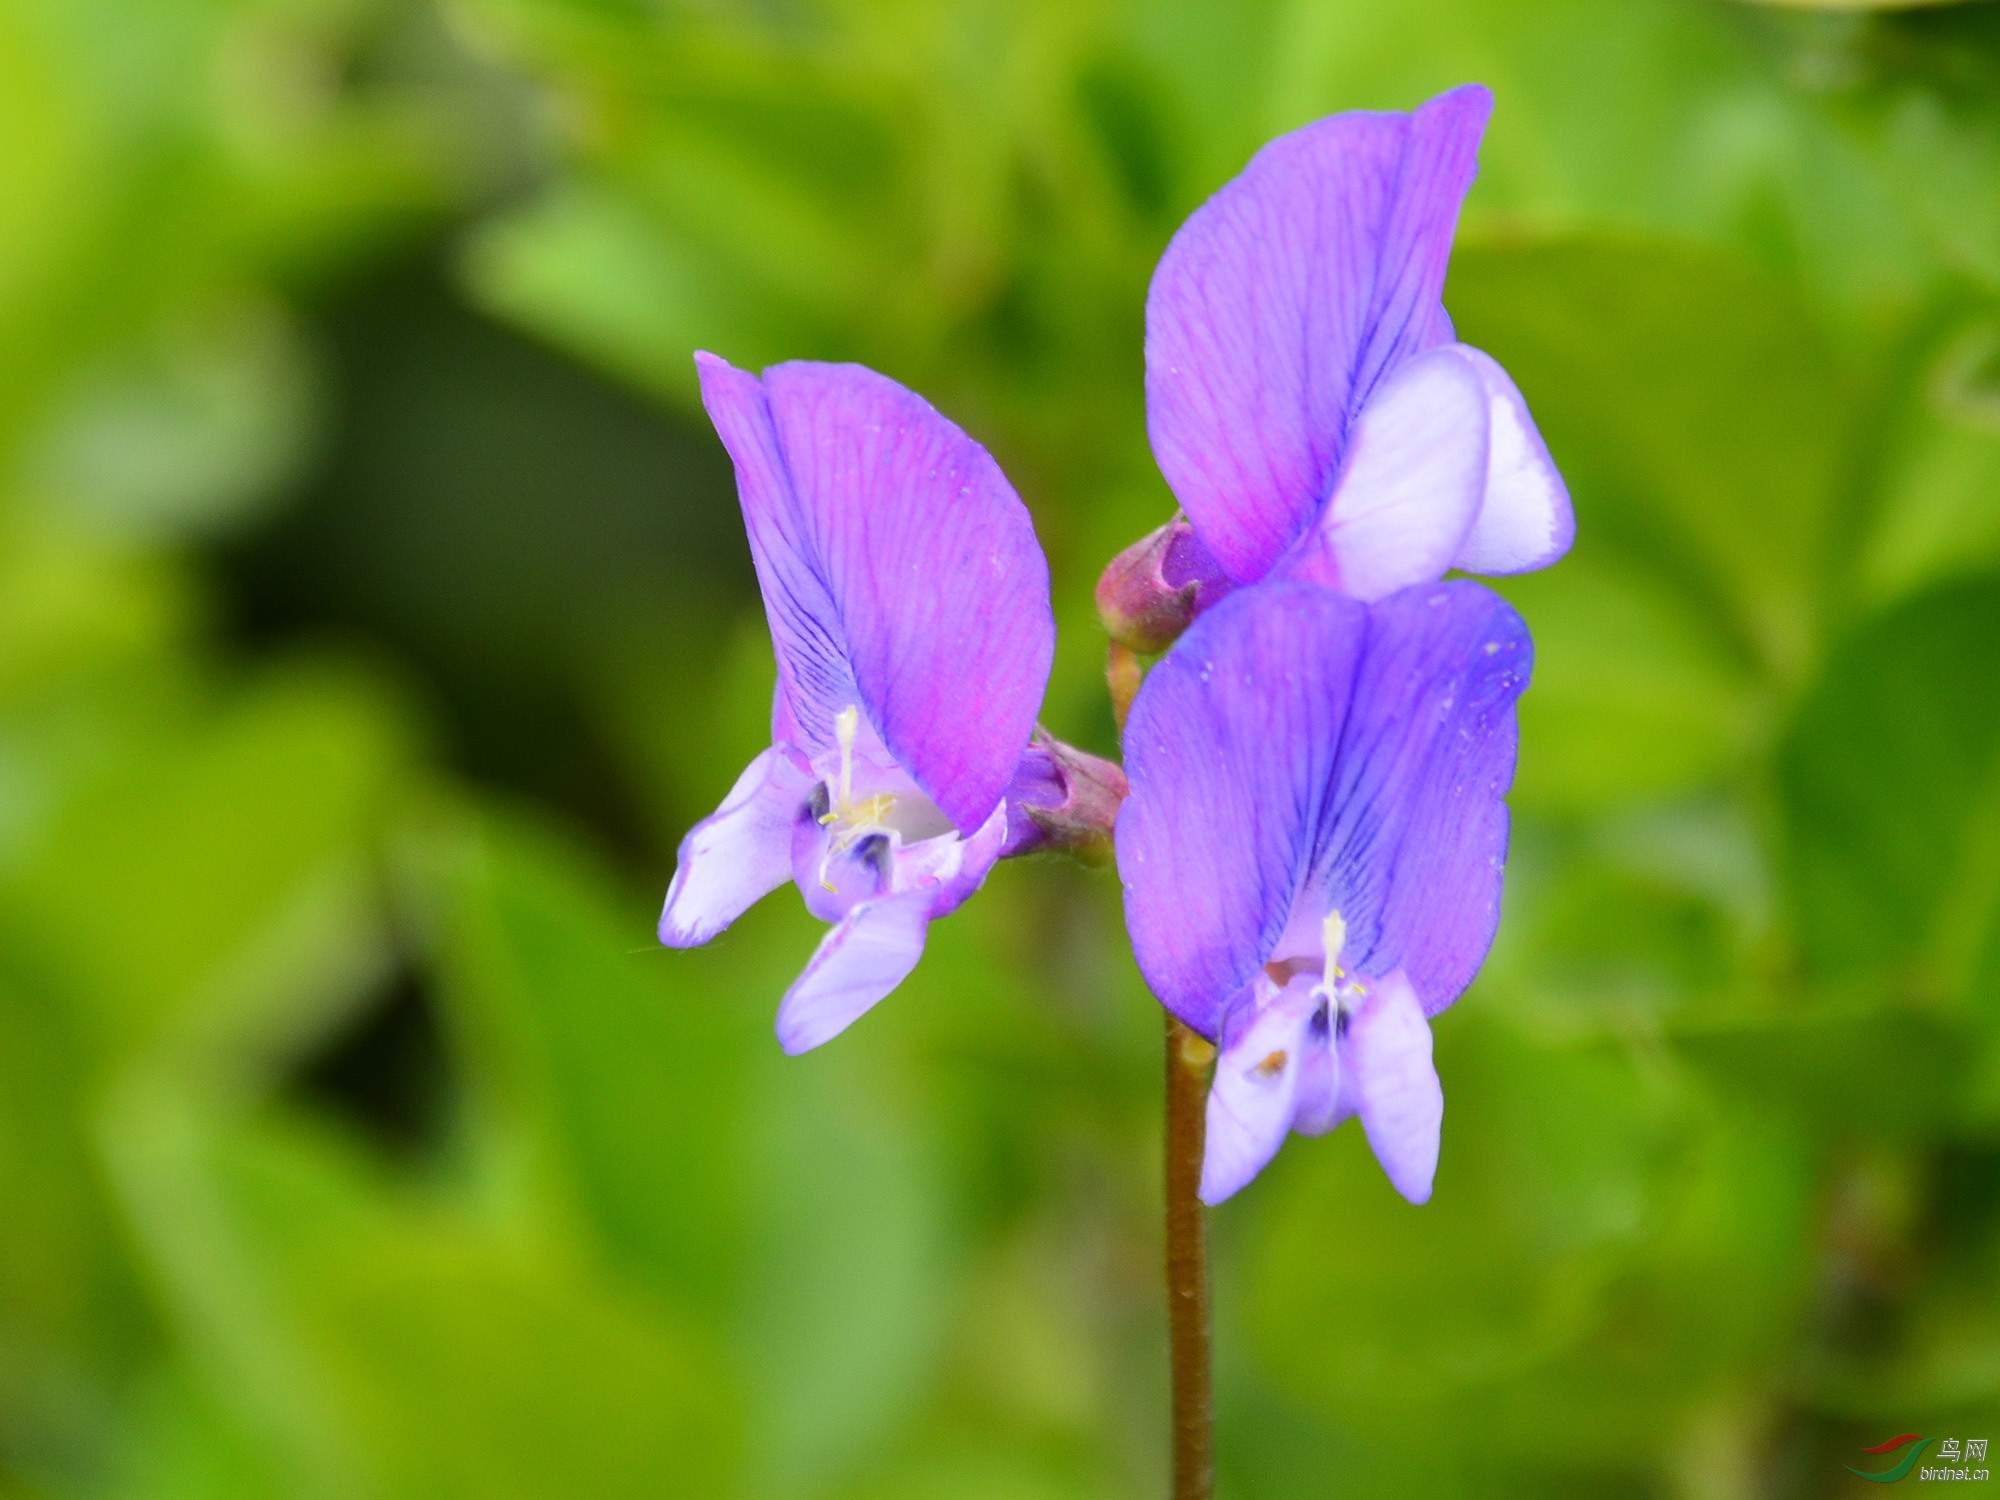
(375, 619)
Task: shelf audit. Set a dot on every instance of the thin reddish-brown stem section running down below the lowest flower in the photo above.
(1187, 1261)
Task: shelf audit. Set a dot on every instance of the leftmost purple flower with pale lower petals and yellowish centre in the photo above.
(909, 613)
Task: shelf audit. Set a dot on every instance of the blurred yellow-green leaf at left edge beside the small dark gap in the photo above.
(217, 891)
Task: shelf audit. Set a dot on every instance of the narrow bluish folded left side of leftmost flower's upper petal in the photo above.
(815, 679)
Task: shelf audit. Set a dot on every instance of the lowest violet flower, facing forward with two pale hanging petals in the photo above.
(1313, 853)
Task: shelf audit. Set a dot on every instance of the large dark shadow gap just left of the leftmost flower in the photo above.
(493, 517)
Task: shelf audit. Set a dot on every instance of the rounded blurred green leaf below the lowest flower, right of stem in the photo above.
(1573, 1291)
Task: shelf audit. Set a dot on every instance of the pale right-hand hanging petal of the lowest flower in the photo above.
(1387, 1073)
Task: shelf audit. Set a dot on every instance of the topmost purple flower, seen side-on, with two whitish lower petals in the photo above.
(1305, 397)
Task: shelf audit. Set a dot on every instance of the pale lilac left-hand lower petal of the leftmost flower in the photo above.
(737, 855)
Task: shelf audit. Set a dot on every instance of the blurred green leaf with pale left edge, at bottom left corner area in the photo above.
(395, 1349)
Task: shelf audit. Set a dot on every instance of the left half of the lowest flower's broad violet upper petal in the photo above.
(1231, 757)
